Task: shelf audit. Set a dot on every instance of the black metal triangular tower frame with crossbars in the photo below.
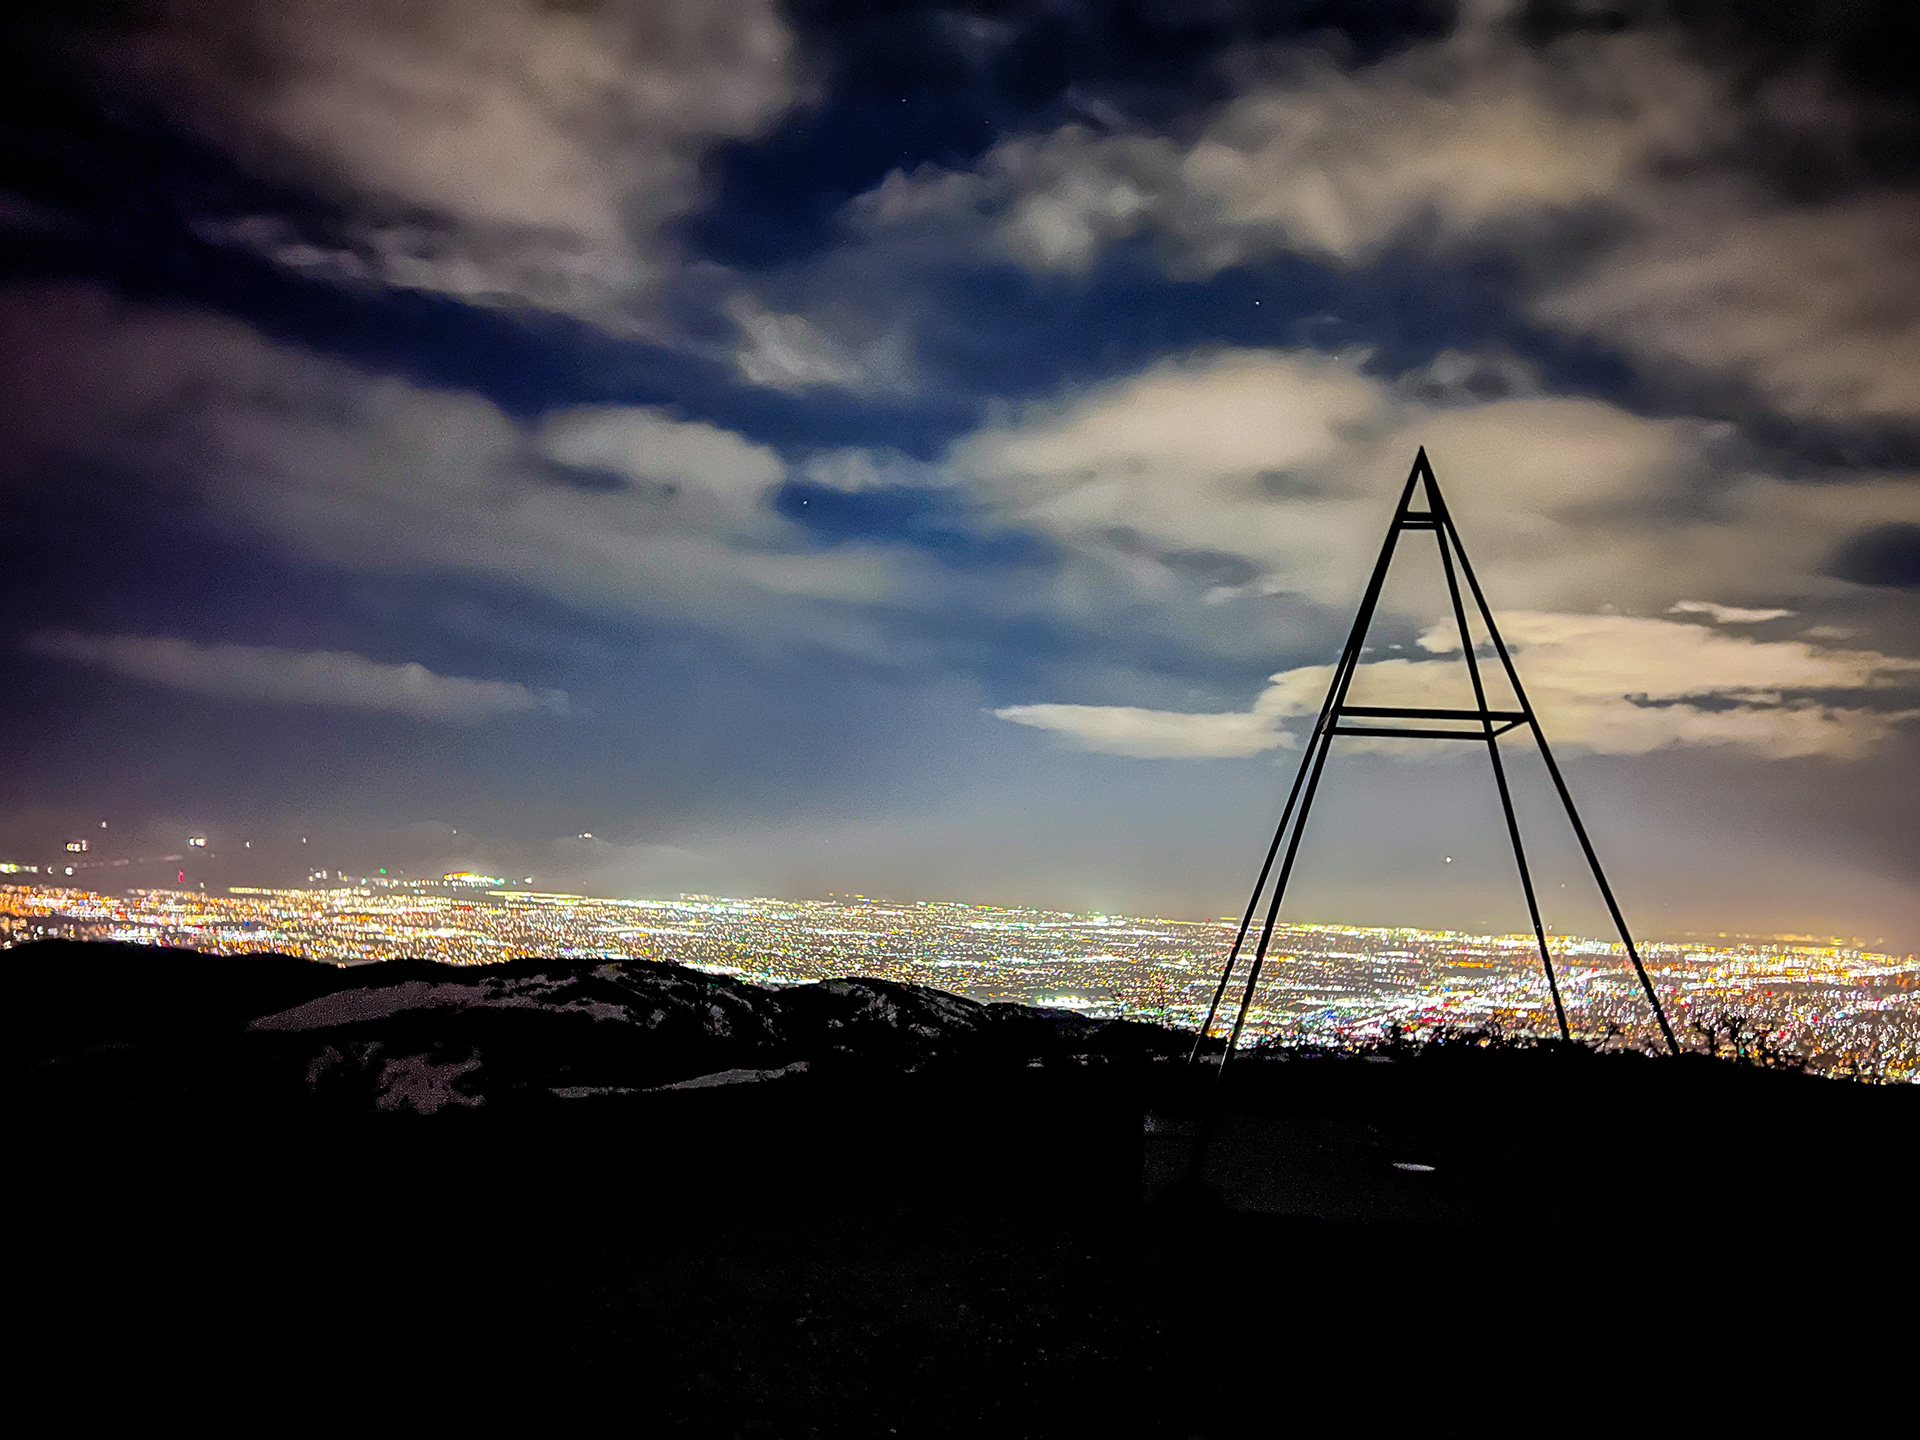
(1479, 725)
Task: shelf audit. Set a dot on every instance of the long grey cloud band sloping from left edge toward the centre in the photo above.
(610, 508)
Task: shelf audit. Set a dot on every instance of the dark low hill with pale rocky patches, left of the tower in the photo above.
(126, 1022)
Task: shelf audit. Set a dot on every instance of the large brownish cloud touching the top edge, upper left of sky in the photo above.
(492, 149)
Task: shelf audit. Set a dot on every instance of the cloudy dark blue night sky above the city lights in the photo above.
(936, 452)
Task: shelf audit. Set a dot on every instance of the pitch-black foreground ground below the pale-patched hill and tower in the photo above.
(1596, 1245)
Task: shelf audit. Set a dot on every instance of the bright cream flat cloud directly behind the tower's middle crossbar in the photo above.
(1600, 683)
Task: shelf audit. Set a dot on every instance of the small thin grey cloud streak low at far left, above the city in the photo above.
(329, 679)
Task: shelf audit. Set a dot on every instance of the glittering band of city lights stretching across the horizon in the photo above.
(1842, 1007)
